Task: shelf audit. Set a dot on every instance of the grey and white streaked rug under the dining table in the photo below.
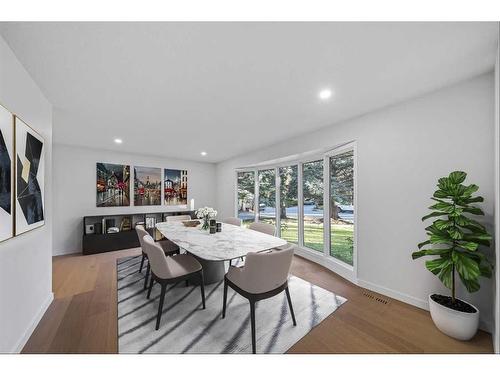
(187, 328)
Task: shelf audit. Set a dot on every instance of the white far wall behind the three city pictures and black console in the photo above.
(74, 188)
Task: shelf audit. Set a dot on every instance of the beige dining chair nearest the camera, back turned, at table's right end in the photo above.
(264, 276)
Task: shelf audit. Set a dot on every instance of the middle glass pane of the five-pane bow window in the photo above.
(289, 205)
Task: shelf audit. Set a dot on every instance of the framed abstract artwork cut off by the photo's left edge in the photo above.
(6, 174)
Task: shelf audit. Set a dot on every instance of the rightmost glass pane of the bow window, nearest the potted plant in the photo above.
(342, 206)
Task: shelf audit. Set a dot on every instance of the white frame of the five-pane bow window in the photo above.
(324, 258)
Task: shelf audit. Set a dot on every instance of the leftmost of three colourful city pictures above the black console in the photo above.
(112, 185)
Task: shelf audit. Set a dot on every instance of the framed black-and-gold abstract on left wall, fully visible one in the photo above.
(29, 180)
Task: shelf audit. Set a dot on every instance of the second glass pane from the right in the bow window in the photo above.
(312, 177)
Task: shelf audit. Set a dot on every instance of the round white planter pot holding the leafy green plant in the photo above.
(457, 324)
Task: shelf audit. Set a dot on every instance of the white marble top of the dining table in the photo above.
(231, 243)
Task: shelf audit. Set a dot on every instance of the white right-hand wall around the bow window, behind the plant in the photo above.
(402, 151)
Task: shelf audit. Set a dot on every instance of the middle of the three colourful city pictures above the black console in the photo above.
(147, 186)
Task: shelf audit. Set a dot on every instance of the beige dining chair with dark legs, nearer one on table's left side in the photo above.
(170, 270)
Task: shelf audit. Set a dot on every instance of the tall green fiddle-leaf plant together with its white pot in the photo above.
(455, 239)
